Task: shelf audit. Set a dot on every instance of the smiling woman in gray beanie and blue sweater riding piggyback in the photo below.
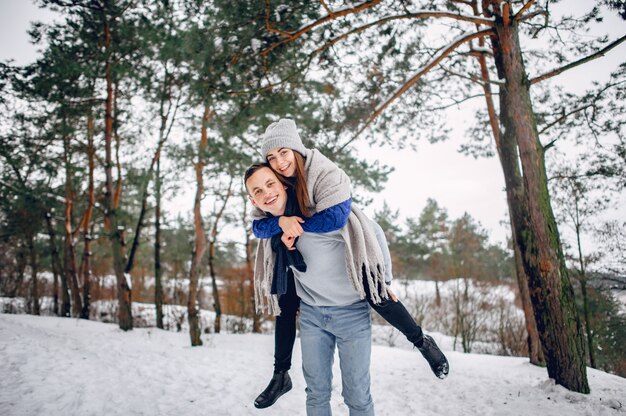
(323, 195)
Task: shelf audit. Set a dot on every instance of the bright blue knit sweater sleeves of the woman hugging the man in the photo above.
(330, 219)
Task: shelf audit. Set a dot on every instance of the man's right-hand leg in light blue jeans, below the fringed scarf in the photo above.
(353, 329)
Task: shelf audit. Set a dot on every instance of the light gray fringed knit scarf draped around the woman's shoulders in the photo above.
(328, 185)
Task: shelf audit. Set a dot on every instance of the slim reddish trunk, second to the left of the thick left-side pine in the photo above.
(69, 253)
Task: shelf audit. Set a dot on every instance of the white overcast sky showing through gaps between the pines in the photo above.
(459, 183)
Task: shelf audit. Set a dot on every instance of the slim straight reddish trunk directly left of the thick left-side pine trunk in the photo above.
(86, 262)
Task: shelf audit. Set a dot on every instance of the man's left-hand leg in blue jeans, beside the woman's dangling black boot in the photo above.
(318, 349)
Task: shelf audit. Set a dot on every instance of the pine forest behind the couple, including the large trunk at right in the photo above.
(132, 105)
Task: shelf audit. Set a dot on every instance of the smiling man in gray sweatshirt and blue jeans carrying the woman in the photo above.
(332, 313)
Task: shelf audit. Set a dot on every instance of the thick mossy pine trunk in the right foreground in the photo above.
(536, 231)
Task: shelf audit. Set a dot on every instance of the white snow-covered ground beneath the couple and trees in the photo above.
(56, 366)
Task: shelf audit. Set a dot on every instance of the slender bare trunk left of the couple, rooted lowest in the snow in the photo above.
(193, 309)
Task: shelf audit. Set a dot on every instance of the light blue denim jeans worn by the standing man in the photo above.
(350, 329)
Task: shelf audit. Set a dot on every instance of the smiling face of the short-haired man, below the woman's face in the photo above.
(266, 192)
